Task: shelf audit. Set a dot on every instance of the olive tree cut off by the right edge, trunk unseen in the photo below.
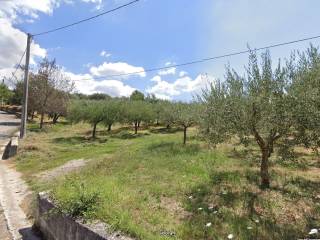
(305, 89)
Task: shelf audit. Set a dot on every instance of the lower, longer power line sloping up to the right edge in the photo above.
(201, 60)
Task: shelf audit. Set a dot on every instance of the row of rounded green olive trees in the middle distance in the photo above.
(135, 112)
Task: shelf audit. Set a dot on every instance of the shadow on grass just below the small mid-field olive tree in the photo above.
(172, 148)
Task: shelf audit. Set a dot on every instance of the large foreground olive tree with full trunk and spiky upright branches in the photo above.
(256, 105)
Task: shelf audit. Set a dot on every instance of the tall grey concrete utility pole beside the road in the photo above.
(24, 116)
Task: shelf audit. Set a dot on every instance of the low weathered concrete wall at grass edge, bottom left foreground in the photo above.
(56, 226)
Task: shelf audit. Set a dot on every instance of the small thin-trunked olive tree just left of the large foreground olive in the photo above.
(185, 115)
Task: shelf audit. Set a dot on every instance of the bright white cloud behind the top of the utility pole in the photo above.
(12, 40)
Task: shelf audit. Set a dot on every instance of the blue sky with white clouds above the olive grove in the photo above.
(151, 34)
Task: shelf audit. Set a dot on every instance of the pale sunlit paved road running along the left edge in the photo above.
(13, 189)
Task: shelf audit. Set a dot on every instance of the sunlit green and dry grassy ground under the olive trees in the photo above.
(152, 187)
